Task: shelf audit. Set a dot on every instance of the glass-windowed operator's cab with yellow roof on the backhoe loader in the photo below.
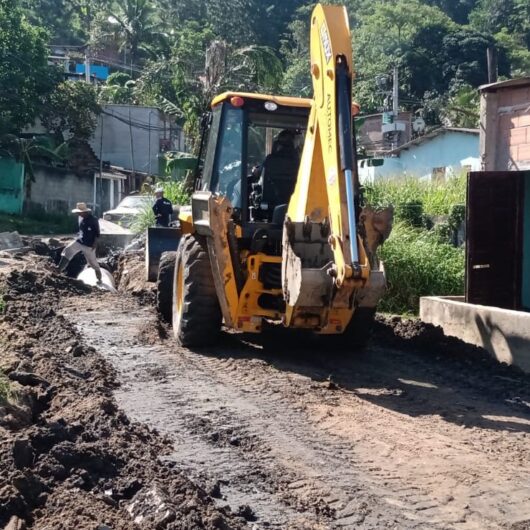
(252, 154)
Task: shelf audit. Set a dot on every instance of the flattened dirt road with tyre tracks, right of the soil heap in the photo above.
(293, 438)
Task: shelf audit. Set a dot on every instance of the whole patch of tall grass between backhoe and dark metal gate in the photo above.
(419, 258)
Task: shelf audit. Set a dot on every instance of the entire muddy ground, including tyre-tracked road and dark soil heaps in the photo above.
(117, 427)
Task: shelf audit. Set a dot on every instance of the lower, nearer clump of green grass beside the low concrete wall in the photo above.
(418, 264)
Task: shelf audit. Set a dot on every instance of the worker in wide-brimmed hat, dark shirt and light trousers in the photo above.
(86, 240)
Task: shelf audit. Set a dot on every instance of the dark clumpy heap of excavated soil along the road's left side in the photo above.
(69, 458)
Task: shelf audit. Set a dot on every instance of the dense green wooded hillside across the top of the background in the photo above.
(179, 53)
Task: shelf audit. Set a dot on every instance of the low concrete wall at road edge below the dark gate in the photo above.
(502, 332)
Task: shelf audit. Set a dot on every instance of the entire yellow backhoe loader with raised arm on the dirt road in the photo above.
(276, 232)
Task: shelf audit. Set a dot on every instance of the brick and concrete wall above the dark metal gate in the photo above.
(505, 128)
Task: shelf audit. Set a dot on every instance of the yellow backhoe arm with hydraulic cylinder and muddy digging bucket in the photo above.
(324, 261)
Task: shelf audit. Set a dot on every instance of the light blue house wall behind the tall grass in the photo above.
(450, 149)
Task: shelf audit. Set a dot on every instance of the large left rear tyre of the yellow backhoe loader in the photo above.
(196, 312)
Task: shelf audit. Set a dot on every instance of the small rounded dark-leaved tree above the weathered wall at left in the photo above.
(71, 107)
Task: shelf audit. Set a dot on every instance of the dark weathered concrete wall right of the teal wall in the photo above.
(58, 190)
